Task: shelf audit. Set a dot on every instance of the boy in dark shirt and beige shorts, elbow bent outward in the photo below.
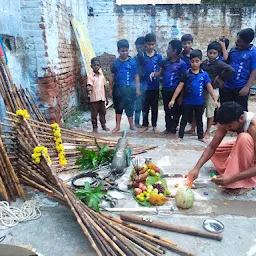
(219, 72)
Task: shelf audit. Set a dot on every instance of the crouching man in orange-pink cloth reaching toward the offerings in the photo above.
(235, 161)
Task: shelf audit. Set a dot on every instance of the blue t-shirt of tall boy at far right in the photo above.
(244, 62)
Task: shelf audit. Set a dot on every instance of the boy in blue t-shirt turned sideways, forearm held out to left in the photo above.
(172, 69)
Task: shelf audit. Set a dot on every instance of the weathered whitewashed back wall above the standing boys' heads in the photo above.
(108, 23)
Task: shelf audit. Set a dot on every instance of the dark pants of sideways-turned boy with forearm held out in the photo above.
(172, 116)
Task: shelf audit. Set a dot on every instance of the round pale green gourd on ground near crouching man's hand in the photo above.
(184, 198)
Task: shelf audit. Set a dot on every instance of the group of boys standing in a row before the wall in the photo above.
(190, 86)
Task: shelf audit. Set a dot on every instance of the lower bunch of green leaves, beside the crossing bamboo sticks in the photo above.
(92, 197)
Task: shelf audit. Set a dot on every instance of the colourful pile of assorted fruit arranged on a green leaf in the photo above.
(147, 185)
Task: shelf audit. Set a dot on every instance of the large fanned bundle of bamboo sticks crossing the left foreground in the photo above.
(107, 235)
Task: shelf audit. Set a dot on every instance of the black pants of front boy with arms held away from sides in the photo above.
(187, 111)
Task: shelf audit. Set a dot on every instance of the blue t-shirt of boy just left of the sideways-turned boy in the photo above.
(152, 64)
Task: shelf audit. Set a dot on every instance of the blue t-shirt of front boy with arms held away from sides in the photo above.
(194, 85)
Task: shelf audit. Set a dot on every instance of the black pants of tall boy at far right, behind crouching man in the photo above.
(228, 94)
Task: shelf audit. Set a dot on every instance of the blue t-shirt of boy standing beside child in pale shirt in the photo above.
(124, 72)
